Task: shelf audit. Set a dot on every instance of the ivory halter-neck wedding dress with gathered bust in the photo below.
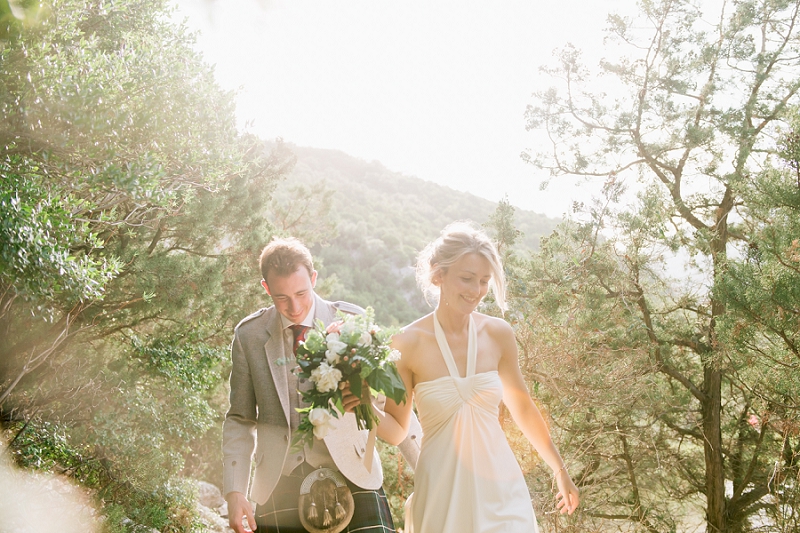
(467, 478)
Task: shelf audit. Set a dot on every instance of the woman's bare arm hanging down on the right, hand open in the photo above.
(527, 415)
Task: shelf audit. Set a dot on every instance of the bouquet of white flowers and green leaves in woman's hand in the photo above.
(351, 350)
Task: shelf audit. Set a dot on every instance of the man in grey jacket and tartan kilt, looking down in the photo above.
(263, 403)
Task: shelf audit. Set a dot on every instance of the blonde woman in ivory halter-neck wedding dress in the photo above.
(460, 364)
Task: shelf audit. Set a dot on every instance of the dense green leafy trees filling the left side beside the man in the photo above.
(132, 216)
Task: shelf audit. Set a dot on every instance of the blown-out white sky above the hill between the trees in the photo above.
(433, 89)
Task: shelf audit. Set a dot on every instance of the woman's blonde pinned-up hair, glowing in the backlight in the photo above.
(455, 241)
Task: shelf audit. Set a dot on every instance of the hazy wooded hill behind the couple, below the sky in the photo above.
(383, 219)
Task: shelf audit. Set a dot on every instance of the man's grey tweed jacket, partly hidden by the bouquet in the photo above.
(257, 423)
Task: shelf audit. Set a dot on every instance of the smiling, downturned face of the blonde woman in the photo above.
(465, 283)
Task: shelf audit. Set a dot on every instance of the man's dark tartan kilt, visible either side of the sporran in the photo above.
(279, 514)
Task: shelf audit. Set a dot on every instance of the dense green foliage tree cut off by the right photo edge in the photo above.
(761, 290)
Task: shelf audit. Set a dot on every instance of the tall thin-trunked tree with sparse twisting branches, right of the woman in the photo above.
(695, 110)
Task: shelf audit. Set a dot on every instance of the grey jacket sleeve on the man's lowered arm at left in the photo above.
(239, 427)
